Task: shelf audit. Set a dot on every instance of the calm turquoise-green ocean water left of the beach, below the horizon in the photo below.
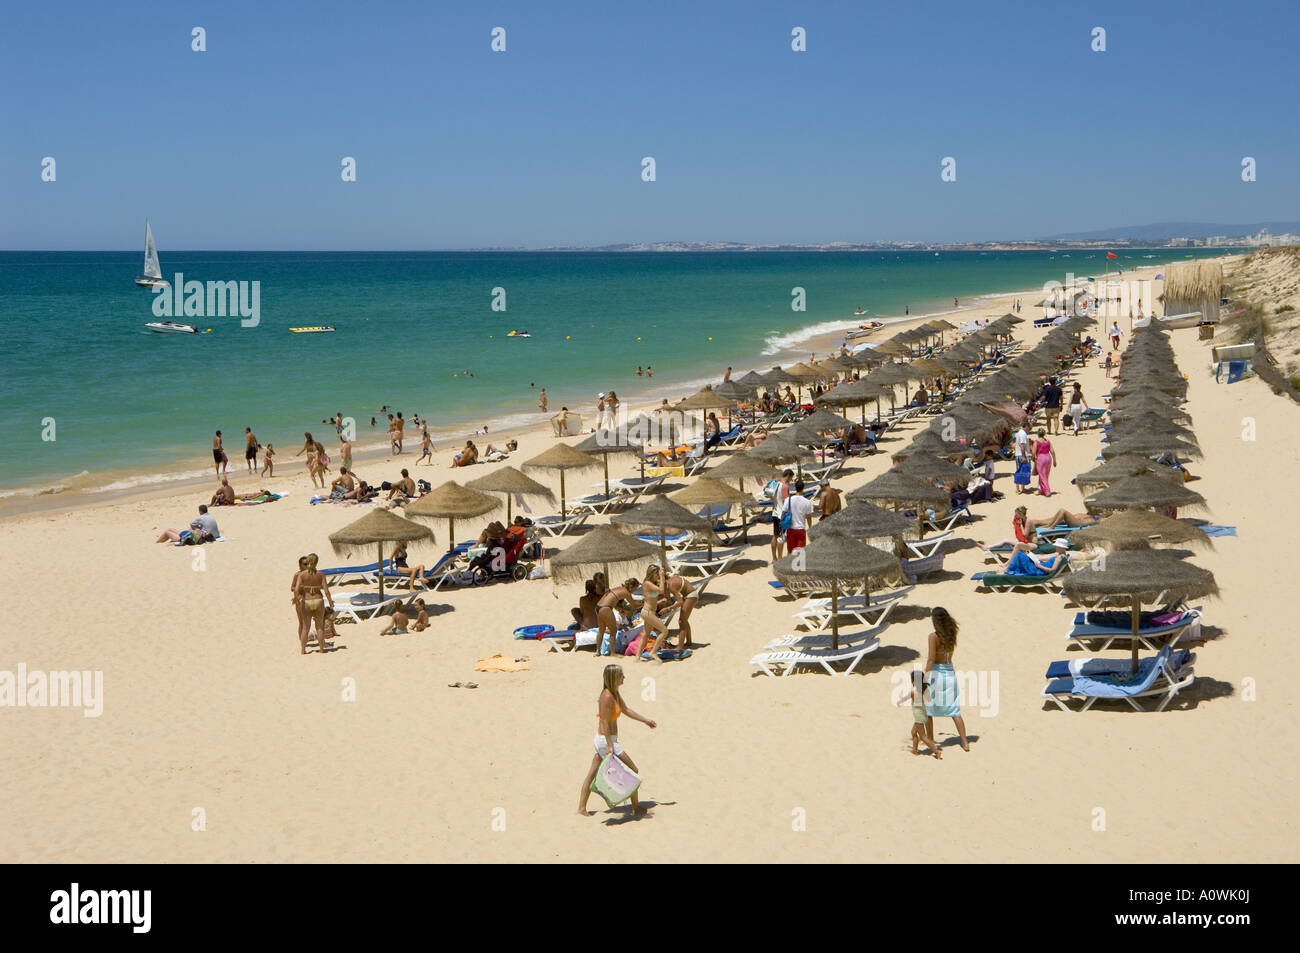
(76, 349)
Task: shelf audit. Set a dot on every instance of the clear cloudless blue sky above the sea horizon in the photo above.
(458, 148)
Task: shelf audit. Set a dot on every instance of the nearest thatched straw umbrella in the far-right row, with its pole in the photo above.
(1137, 577)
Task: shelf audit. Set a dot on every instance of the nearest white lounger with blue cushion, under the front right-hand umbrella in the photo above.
(1160, 678)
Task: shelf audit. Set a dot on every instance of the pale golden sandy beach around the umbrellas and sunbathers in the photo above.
(219, 743)
